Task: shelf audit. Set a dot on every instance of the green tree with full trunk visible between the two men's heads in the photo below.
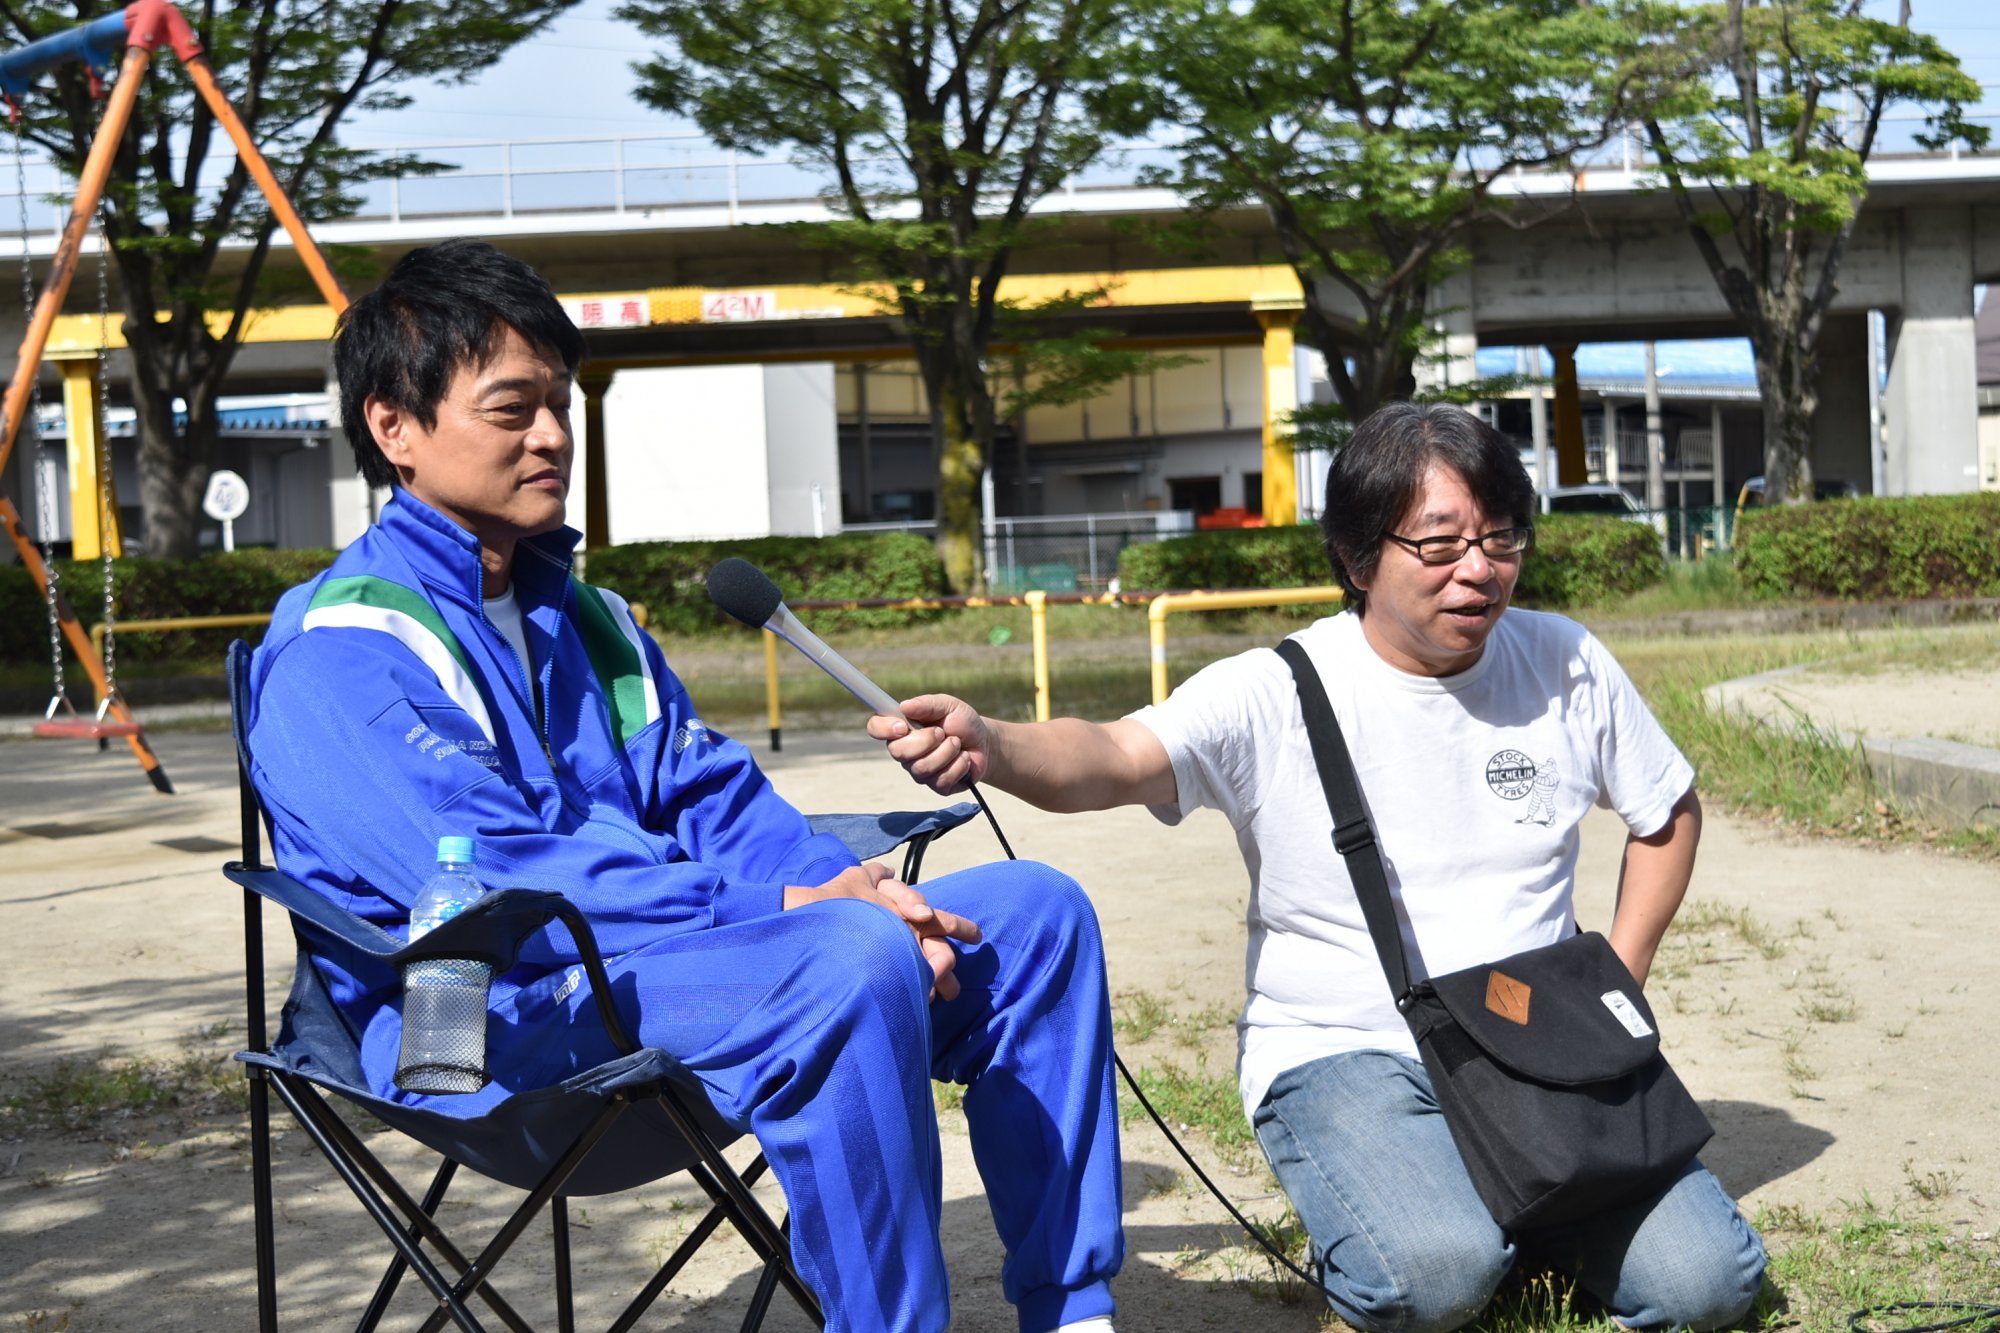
(941, 125)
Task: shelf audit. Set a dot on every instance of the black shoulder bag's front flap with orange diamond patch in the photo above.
(1565, 1014)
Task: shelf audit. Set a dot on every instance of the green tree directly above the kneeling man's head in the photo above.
(1373, 135)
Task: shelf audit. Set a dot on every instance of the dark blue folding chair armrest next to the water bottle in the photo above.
(493, 932)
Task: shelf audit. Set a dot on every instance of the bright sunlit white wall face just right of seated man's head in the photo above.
(685, 453)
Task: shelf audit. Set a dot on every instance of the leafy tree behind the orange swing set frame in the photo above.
(189, 229)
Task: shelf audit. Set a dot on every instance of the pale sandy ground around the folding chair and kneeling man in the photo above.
(1823, 1000)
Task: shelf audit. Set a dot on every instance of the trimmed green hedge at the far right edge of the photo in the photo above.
(1875, 549)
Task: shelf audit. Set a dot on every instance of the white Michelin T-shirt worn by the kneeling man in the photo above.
(1477, 786)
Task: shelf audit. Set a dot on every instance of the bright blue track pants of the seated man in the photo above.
(815, 1030)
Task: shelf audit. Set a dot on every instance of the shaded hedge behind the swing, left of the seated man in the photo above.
(213, 585)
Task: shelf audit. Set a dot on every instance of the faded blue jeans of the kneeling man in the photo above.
(1405, 1244)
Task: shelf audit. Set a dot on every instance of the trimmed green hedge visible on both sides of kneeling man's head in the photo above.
(1577, 561)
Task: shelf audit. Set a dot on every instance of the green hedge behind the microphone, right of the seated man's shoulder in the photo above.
(673, 577)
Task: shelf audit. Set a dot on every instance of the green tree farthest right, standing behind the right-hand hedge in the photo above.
(1767, 151)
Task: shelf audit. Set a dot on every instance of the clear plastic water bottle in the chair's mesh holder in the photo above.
(445, 1000)
